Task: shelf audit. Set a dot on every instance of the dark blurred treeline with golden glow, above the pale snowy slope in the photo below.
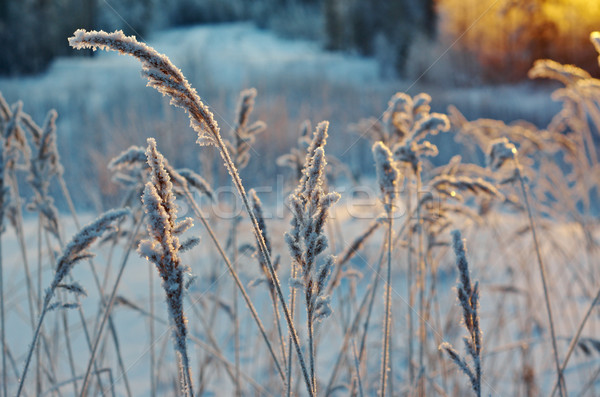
(489, 40)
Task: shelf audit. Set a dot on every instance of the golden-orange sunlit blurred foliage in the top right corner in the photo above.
(506, 36)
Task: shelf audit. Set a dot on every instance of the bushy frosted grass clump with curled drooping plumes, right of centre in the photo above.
(434, 198)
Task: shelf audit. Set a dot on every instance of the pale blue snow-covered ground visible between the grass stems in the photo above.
(496, 261)
